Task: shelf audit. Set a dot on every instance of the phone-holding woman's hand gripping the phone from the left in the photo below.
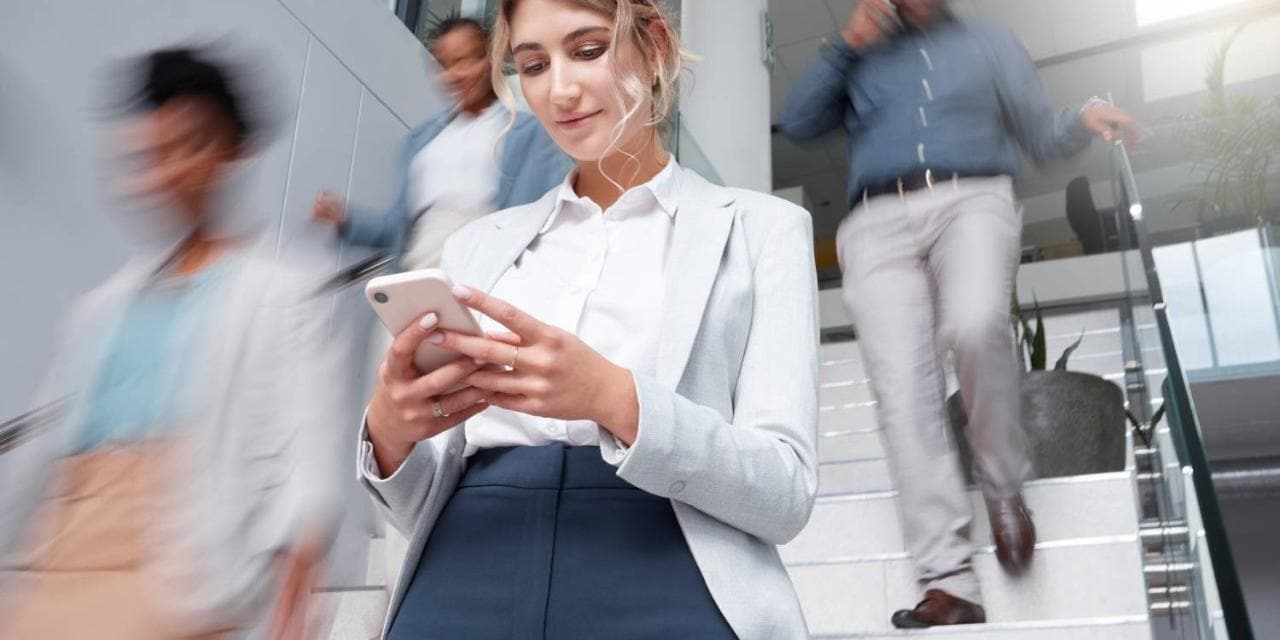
(403, 414)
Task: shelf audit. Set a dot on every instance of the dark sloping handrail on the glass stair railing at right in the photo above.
(1183, 422)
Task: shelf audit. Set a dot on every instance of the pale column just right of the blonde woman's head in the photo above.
(726, 99)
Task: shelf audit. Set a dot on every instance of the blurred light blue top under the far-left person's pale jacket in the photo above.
(144, 387)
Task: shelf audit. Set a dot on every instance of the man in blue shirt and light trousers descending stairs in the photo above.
(936, 112)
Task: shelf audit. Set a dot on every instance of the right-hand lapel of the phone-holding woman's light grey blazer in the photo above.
(703, 226)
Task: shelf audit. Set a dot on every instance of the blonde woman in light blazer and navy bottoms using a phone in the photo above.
(637, 432)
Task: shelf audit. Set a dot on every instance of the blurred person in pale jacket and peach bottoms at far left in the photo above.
(189, 491)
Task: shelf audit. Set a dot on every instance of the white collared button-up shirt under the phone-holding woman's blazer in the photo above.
(600, 276)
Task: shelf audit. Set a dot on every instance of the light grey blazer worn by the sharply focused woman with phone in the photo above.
(729, 423)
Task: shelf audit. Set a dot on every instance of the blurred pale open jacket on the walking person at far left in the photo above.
(264, 458)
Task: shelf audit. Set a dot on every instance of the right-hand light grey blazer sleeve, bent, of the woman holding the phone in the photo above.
(758, 472)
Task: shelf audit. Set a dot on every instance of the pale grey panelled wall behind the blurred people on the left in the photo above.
(344, 77)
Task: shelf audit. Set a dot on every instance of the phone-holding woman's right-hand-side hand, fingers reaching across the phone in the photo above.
(545, 371)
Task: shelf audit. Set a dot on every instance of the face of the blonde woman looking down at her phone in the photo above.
(563, 54)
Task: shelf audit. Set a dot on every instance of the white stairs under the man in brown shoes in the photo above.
(852, 570)
